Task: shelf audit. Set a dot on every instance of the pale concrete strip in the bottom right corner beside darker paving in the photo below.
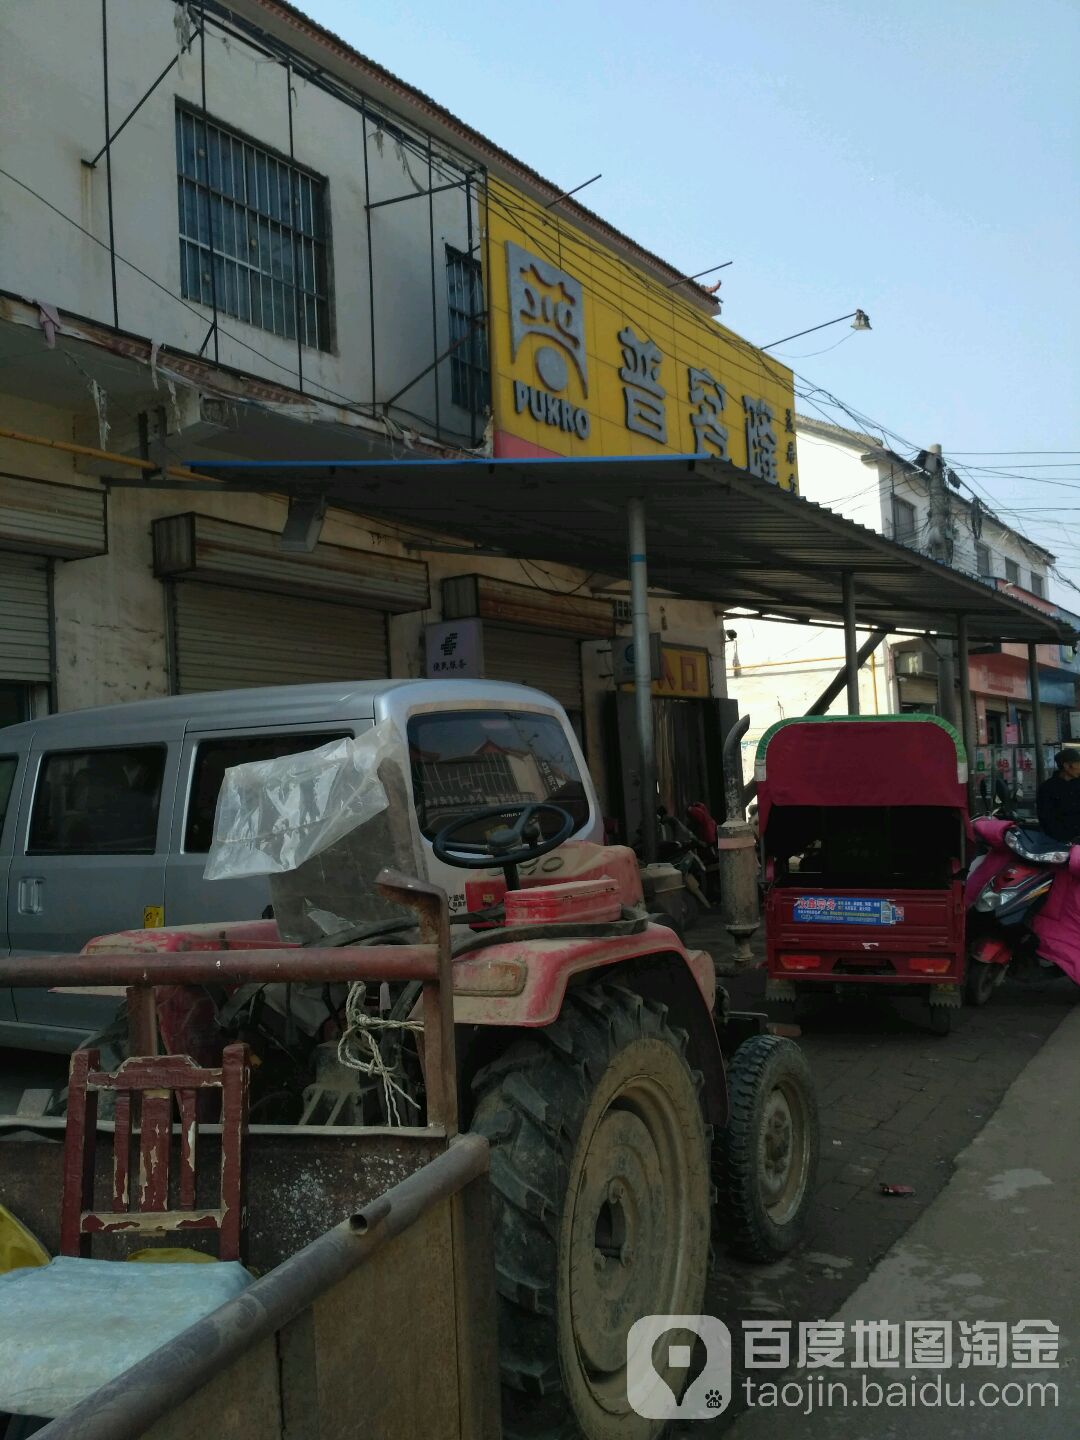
(1000, 1243)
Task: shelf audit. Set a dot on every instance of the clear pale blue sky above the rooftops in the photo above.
(919, 161)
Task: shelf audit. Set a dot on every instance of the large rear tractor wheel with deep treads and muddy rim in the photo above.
(601, 1207)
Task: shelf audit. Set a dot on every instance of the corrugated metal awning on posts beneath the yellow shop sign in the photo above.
(715, 534)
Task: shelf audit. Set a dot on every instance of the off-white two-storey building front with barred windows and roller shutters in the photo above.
(279, 256)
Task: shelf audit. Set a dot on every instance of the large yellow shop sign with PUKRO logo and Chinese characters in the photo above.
(594, 358)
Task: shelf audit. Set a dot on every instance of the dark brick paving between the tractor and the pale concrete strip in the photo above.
(898, 1105)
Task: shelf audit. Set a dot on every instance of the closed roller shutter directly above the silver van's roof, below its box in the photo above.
(225, 640)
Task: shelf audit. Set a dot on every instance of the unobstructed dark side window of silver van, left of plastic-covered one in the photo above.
(99, 803)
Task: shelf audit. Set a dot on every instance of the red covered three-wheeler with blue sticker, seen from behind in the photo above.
(863, 830)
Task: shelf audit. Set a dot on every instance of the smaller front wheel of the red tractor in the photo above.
(768, 1156)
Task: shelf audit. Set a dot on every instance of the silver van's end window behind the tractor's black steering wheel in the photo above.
(473, 760)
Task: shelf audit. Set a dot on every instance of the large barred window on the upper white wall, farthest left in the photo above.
(264, 221)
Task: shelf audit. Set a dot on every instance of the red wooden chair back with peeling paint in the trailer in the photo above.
(145, 1209)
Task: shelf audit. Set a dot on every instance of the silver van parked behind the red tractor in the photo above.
(107, 816)
